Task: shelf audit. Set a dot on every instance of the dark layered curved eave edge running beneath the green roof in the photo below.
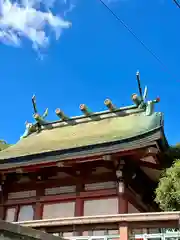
(145, 140)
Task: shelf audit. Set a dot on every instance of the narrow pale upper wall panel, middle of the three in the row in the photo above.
(60, 190)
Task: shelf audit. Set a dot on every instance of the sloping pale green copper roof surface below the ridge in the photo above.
(107, 129)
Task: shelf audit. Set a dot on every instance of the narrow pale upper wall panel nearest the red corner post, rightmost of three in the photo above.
(100, 186)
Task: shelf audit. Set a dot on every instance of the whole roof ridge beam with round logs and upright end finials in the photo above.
(140, 105)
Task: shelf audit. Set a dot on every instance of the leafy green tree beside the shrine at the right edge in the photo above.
(168, 190)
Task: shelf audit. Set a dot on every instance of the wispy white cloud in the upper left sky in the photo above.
(27, 20)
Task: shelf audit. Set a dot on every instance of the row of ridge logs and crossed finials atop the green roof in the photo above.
(140, 102)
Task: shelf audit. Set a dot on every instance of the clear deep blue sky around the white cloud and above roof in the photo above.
(96, 58)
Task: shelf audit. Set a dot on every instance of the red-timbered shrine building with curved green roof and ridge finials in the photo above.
(98, 163)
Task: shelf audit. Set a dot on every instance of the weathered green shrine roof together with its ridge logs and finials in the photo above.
(89, 129)
